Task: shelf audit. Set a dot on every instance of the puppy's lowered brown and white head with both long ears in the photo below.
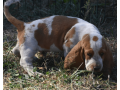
(94, 52)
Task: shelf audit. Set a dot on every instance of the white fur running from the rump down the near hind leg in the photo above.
(28, 48)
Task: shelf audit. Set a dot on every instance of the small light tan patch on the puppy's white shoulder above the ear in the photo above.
(69, 35)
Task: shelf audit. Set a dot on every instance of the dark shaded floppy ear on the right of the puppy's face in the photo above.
(108, 61)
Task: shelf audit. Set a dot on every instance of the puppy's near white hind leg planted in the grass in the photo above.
(27, 55)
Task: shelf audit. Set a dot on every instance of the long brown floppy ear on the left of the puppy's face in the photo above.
(75, 57)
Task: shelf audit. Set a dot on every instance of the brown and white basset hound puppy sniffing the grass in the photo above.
(80, 40)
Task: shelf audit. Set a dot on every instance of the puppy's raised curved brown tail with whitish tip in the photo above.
(17, 23)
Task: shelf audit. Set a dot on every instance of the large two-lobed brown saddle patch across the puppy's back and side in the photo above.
(60, 26)
